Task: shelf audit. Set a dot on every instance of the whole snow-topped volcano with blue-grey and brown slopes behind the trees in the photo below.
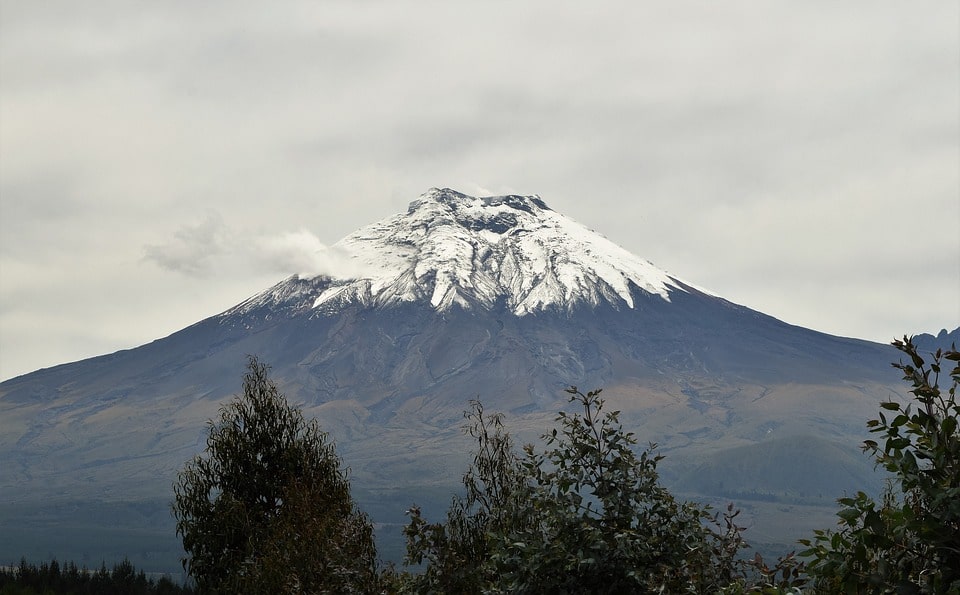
(497, 298)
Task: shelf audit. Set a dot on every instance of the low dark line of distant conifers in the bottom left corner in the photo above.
(30, 579)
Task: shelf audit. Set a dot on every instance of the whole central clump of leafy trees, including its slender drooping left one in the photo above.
(587, 515)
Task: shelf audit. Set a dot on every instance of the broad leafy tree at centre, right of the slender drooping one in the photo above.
(602, 521)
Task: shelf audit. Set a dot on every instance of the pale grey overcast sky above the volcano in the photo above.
(161, 162)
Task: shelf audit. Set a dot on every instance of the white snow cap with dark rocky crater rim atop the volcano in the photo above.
(452, 249)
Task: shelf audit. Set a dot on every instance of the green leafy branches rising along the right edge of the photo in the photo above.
(909, 542)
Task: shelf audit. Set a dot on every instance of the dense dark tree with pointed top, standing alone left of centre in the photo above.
(267, 507)
